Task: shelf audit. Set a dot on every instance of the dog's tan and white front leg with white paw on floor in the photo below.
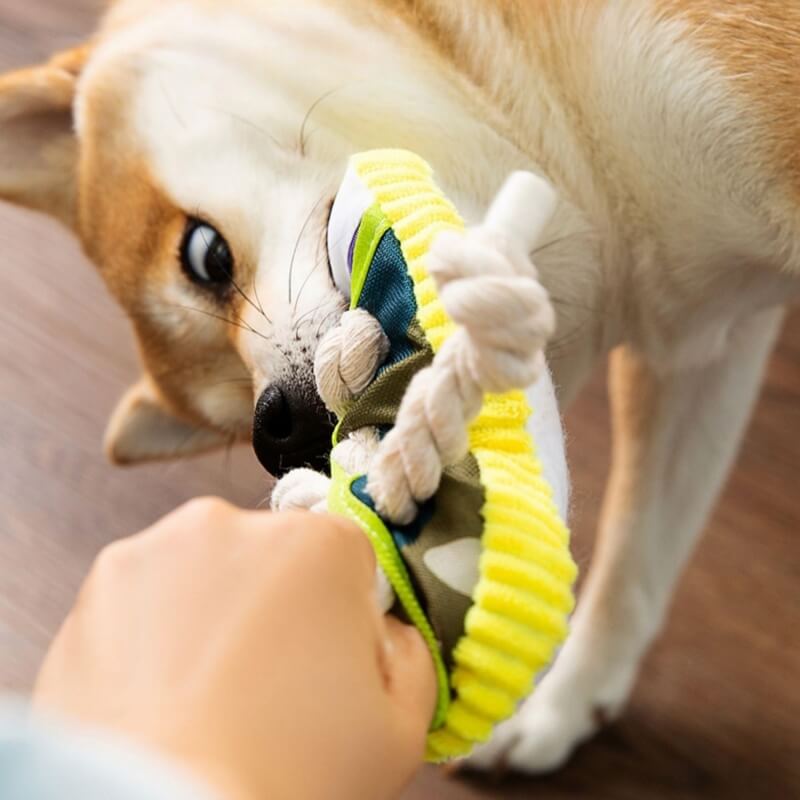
(675, 436)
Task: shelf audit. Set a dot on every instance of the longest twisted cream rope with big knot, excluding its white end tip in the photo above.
(490, 289)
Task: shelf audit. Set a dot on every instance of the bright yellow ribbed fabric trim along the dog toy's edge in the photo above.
(524, 596)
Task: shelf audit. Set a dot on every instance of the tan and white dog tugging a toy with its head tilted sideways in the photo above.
(194, 147)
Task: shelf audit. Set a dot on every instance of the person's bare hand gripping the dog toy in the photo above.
(249, 647)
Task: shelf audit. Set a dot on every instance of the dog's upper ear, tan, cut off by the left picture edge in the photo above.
(38, 146)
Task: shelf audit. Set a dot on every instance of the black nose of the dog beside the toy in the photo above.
(291, 428)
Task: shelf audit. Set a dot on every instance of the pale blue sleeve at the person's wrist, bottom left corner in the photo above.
(45, 760)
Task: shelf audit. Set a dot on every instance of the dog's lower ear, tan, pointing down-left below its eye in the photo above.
(142, 429)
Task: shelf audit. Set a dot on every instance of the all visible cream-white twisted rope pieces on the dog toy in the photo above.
(490, 289)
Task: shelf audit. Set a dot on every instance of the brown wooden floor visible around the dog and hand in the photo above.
(717, 711)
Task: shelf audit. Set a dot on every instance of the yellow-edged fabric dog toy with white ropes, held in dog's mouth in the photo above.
(431, 456)
